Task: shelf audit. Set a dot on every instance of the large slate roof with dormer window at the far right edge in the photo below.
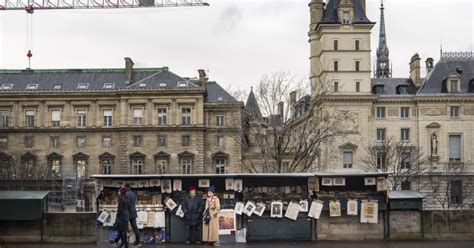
(436, 79)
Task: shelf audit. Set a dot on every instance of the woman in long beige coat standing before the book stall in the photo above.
(210, 231)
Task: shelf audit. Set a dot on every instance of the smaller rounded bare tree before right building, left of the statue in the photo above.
(402, 160)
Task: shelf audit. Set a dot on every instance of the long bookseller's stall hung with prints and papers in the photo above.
(295, 205)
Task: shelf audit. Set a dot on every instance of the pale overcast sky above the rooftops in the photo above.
(236, 40)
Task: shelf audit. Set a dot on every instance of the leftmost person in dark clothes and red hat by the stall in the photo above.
(123, 216)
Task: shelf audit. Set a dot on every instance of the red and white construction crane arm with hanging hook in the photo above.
(31, 5)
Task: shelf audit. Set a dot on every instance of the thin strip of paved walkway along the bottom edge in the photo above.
(320, 244)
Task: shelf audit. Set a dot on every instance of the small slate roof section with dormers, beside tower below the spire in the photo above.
(391, 86)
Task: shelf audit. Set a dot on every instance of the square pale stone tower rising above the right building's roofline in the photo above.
(339, 38)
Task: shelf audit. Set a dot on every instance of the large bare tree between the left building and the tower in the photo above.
(293, 129)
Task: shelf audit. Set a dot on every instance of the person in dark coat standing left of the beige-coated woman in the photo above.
(193, 207)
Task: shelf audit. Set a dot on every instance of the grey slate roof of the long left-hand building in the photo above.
(69, 80)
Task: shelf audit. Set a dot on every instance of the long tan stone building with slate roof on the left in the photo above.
(80, 122)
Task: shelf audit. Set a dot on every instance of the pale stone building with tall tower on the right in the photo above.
(435, 114)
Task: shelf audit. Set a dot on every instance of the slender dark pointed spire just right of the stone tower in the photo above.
(383, 69)
